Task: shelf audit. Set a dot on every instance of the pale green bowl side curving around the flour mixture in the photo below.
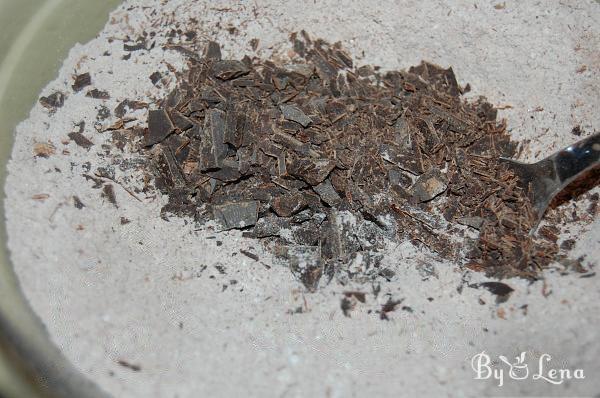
(29, 360)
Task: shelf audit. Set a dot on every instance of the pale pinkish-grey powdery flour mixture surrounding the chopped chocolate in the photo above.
(201, 319)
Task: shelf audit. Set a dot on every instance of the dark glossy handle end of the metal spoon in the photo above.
(576, 159)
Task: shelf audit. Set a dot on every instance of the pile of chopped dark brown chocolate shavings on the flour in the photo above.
(324, 161)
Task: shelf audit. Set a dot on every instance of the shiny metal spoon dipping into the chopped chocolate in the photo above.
(546, 178)
